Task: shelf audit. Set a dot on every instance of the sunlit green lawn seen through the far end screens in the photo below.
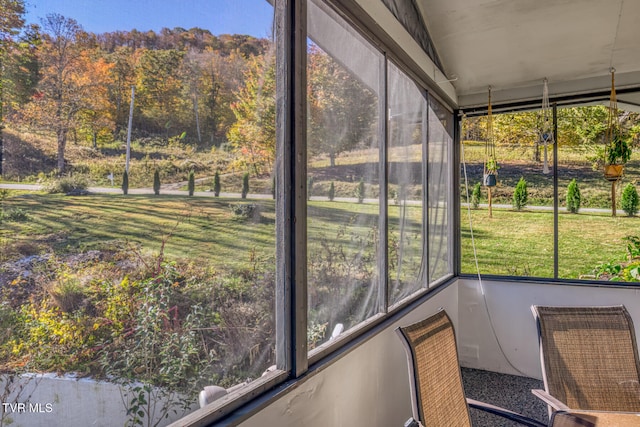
(521, 243)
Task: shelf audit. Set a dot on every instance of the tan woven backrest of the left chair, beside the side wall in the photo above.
(437, 392)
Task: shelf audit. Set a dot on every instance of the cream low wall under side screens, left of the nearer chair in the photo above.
(367, 387)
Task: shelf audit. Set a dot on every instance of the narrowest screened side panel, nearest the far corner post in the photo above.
(439, 190)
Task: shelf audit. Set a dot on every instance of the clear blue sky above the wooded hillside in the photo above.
(251, 17)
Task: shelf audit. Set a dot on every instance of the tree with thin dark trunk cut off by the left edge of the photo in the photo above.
(11, 20)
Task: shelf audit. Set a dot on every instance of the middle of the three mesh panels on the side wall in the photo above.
(406, 149)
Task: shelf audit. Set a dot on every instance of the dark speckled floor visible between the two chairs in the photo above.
(509, 391)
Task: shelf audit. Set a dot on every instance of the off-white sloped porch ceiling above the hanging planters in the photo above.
(513, 45)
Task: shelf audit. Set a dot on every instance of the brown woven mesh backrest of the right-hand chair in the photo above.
(589, 357)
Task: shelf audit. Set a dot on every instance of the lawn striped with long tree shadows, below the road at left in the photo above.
(197, 228)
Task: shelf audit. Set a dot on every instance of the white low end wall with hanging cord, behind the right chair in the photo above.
(497, 331)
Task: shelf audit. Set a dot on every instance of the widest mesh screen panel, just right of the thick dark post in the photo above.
(343, 142)
